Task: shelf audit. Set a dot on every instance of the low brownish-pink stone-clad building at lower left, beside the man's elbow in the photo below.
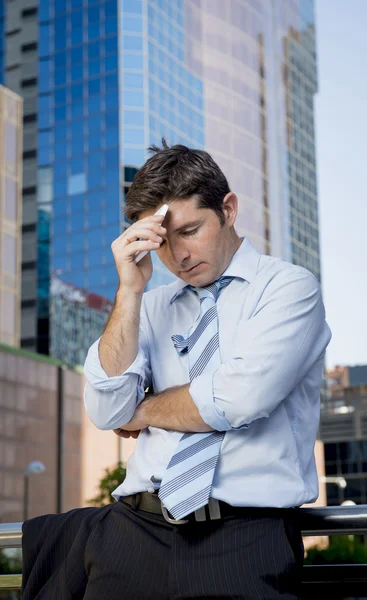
(43, 419)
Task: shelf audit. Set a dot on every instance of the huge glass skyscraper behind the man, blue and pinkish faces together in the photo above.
(235, 77)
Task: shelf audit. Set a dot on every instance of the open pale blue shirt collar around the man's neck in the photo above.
(244, 265)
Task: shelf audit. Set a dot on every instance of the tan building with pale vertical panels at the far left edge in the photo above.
(10, 215)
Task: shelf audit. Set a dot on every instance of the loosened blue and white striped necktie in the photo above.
(188, 479)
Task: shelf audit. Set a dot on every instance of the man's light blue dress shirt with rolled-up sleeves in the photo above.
(265, 395)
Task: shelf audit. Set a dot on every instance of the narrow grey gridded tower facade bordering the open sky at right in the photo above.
(302, 85)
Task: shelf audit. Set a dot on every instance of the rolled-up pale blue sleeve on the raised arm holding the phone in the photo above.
(110, 402)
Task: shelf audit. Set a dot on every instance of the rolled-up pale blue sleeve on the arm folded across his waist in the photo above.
(276, 348)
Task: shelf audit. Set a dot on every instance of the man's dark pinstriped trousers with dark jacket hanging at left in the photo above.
(134, 555)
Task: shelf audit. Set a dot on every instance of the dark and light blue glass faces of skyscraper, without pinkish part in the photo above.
(112, 81)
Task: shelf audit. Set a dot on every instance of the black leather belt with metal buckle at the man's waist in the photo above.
(216, 509)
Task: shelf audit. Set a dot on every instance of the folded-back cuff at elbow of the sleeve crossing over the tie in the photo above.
(201, 391)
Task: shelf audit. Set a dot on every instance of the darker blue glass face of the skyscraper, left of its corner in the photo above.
(78, 158)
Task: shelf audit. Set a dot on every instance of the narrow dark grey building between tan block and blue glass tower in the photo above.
(19, 62)
